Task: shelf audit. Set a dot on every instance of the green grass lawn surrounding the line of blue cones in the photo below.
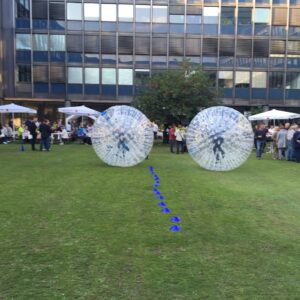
(72, 227)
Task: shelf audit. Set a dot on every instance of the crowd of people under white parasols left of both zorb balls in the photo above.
(32, 131)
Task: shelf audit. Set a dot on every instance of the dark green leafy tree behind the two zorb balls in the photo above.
(176, 94)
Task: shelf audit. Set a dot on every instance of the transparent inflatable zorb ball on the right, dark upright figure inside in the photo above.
(219, 138)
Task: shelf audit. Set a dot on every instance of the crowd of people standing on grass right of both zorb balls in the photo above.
(284, 141)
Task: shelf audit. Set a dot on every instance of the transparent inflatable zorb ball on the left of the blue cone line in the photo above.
(122, 136)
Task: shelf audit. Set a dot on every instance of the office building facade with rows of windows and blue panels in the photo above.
(97, 52)
